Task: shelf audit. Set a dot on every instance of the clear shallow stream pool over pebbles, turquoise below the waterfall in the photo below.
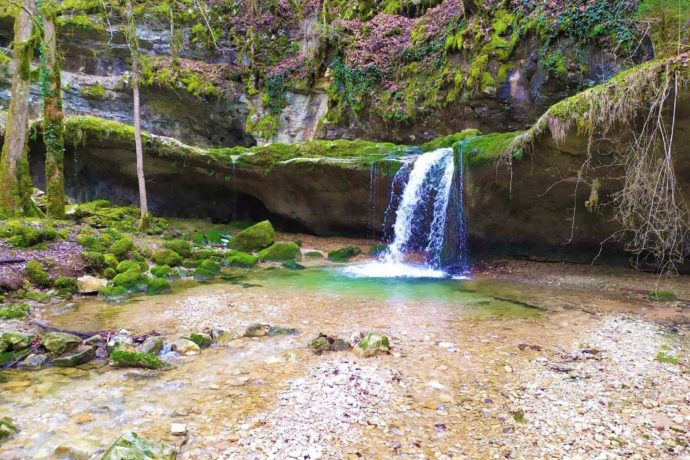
(453, 333)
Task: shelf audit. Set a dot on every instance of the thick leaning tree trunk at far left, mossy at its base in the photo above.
(16, 189)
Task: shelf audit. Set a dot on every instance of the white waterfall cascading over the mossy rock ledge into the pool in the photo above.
(429, 235)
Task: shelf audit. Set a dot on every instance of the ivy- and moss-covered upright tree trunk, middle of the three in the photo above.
(53, 126)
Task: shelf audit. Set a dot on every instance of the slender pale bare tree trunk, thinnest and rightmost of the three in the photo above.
(134, 49)
